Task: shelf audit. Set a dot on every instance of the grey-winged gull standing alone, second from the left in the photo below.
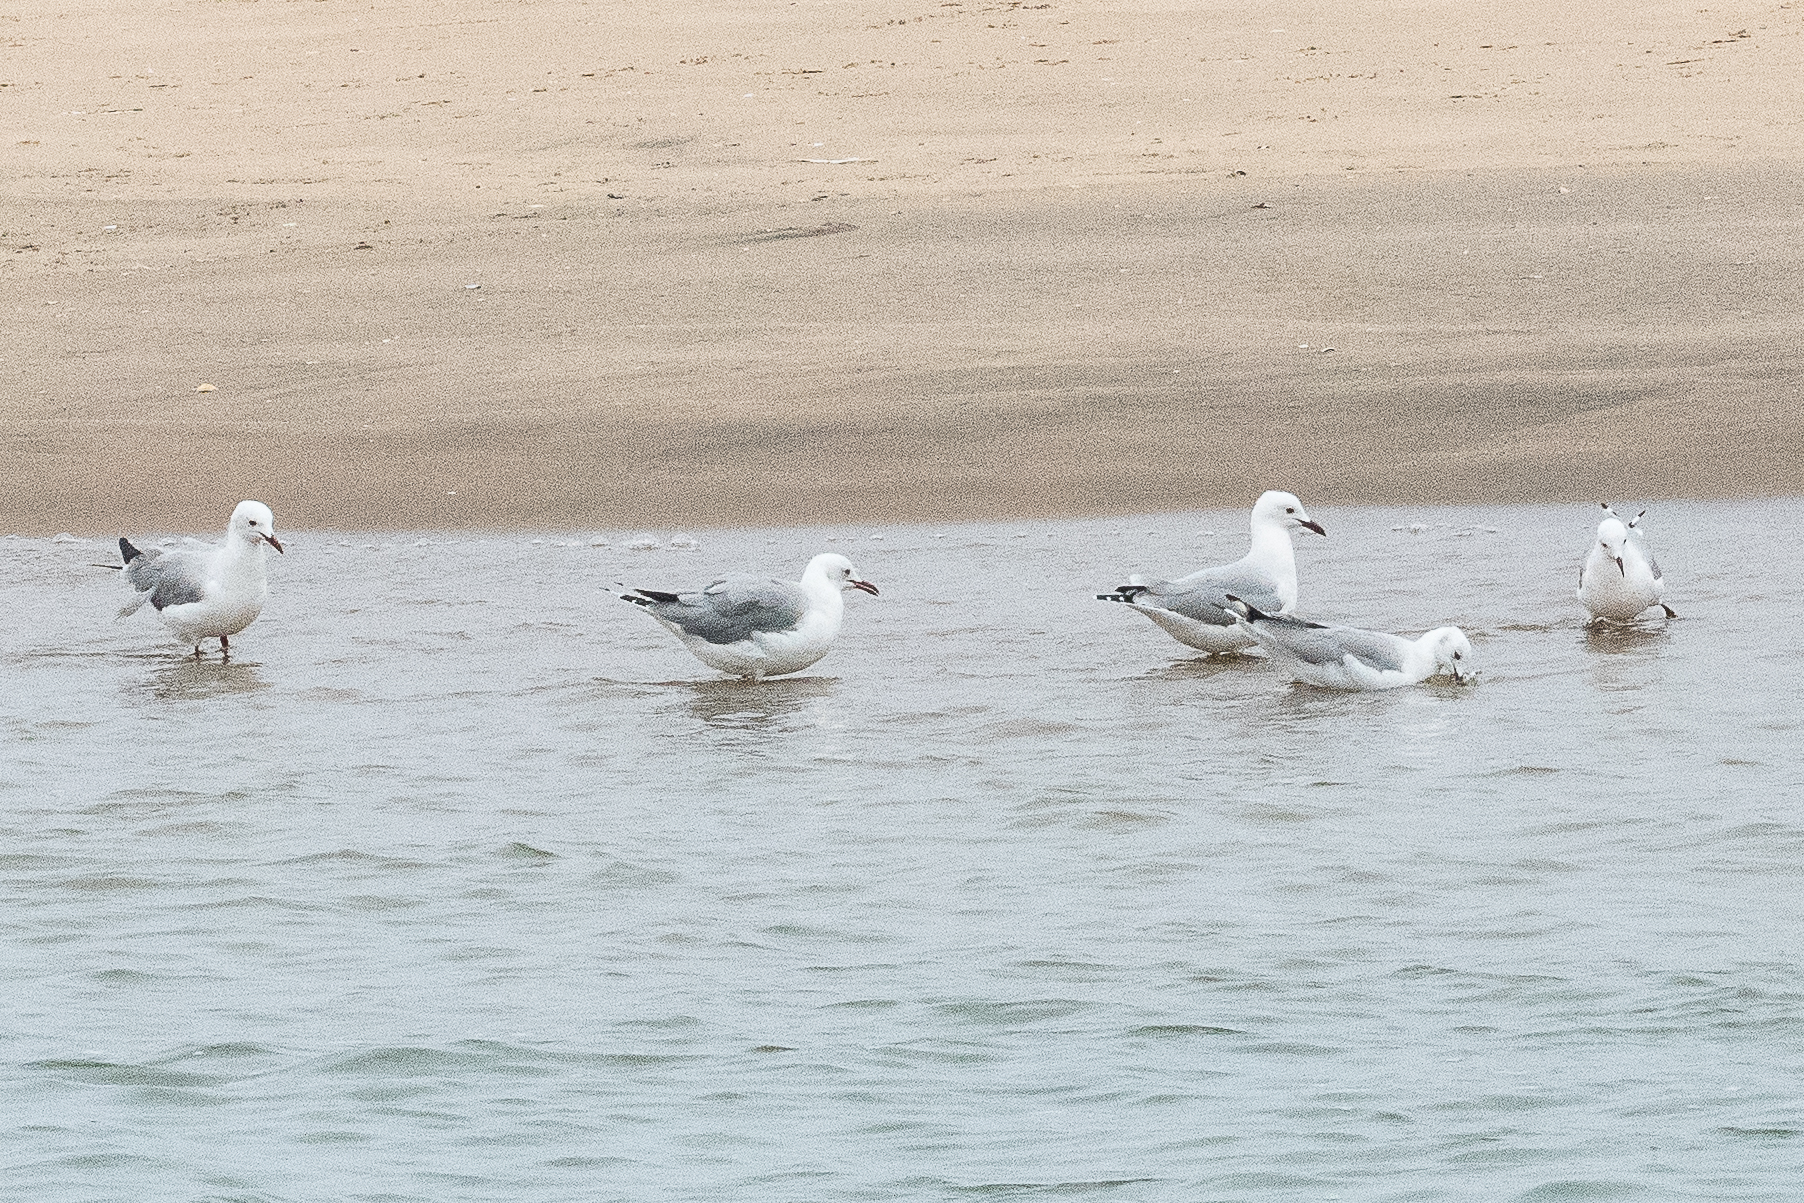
(757, 627)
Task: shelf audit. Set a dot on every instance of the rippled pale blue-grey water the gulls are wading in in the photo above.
(466, 883)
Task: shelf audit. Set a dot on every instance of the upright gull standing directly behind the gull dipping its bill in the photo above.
(1195, 612)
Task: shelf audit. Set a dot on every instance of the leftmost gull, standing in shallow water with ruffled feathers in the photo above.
(207, 592)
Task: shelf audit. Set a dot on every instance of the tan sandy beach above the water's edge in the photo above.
(815, 262)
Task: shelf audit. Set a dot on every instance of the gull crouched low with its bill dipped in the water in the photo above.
(1347, 657)
